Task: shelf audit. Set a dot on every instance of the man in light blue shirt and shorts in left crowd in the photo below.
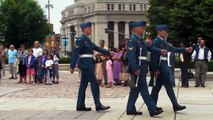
(12, 55)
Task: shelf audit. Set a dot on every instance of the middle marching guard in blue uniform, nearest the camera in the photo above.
(137, 62)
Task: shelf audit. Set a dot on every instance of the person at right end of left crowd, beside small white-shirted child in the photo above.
(56, 58)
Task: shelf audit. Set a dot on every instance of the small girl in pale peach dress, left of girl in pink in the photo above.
(99, 69)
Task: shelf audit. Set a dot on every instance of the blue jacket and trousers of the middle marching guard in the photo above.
(134, 53)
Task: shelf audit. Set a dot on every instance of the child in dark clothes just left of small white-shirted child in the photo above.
(41, 70)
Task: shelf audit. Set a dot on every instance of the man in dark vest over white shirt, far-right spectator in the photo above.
(201, 56)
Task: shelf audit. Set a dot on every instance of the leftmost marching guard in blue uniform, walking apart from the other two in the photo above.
(84, 48)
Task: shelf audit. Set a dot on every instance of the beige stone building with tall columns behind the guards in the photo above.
(112, 14)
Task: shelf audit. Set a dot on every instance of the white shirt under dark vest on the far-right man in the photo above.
(201, 54)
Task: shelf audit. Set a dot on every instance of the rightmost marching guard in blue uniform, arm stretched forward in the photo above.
(160, 66)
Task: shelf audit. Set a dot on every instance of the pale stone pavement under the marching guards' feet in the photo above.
(57, 102)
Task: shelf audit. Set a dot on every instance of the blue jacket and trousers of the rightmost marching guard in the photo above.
(160, 64)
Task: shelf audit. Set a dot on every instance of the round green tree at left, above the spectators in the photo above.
(22, 22)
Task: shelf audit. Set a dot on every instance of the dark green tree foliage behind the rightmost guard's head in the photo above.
(187, 19)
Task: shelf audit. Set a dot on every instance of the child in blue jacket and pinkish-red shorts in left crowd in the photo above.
(30, 62)
